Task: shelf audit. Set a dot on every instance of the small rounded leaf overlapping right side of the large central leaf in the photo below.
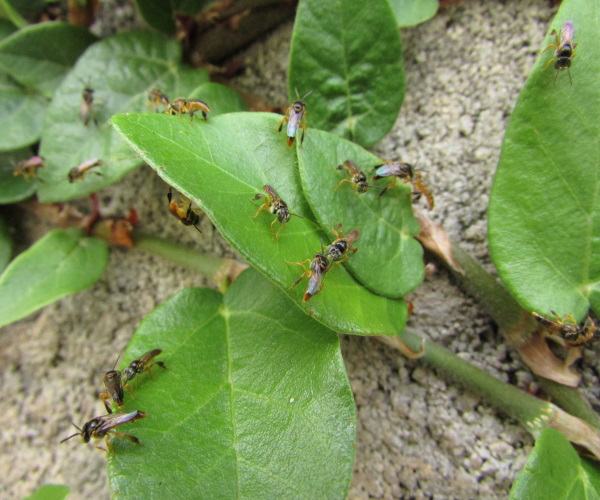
(390, 260)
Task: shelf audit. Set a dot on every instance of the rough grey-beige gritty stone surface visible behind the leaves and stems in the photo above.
(419, 435)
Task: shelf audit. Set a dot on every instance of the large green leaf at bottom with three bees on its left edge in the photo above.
(254, 403)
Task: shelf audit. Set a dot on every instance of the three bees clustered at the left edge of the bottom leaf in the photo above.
(115, 381)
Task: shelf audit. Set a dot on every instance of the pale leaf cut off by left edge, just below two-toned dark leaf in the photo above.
(23, 110)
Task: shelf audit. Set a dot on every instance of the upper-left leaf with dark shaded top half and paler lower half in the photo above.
(39, 56)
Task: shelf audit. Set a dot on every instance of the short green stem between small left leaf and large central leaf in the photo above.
(221, 270)
